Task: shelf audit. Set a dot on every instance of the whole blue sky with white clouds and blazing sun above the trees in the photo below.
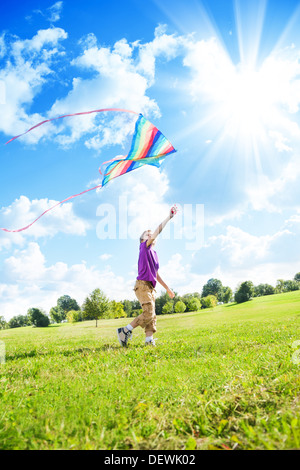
(219, 78)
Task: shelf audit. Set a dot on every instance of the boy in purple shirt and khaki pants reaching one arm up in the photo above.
(144, 288)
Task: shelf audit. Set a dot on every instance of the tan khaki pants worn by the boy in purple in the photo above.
(144, 291)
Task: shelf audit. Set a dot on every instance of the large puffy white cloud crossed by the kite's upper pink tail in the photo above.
(124, 73)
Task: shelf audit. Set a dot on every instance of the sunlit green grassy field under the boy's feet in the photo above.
(222, 378)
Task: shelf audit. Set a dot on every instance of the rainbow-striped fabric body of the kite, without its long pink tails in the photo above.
(149, 147)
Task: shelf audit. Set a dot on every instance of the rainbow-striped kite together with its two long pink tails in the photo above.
(148, 147)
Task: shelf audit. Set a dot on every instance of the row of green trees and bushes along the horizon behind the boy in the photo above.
(97, 305)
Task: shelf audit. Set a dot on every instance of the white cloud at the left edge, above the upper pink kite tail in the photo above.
(26, 71)
